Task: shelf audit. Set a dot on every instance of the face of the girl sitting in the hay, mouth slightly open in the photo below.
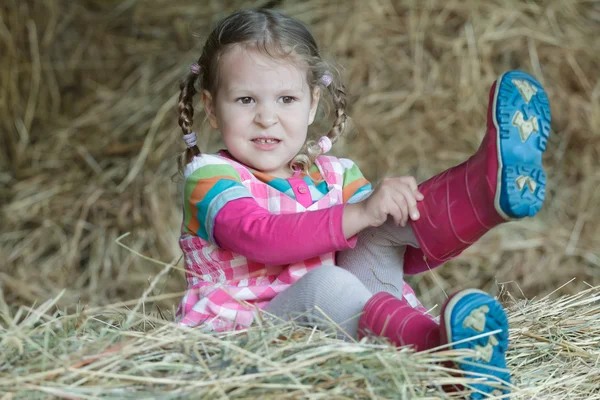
(263, 108)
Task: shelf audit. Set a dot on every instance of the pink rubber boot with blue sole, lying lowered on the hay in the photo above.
(467, 314)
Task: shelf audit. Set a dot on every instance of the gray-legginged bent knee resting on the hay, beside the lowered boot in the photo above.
(336, 292)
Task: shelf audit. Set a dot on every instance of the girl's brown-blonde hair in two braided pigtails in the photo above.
(277, 36)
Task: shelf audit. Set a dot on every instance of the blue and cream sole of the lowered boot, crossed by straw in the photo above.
(472, 313)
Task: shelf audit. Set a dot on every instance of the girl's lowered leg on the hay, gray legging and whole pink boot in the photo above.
(346, 301)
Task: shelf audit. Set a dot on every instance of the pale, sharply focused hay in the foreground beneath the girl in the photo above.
(116, 352)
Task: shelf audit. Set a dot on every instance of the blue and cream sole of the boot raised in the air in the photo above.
(521, 116)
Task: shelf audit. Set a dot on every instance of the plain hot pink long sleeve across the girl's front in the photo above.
(246, 228)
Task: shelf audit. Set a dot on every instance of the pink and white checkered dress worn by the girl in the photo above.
(225, 289)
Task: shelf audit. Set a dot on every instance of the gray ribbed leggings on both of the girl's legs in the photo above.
(338, 294)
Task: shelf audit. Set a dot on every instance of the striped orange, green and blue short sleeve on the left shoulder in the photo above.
(209, 185)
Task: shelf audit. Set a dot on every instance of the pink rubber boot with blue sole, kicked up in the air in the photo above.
(503, 180)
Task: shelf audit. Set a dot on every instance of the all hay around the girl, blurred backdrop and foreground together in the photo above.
(89, 140)
